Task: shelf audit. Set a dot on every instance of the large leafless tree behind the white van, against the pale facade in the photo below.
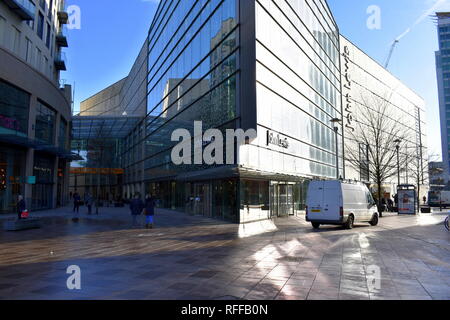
(376, 129)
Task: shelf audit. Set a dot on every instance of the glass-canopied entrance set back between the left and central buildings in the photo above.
(99, 143)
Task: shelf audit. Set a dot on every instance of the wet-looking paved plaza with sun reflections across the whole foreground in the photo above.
(188, 257)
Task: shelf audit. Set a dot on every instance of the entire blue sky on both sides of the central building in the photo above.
(112, 33)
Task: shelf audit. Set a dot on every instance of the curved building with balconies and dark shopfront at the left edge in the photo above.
(35, 110)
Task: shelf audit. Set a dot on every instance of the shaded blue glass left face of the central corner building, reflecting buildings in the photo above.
(192, 75)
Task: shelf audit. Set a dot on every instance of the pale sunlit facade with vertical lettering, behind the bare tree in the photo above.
(367, 87)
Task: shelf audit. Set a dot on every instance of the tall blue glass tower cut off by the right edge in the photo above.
(443, 77)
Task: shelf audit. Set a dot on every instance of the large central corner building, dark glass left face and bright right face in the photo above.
(272, 66)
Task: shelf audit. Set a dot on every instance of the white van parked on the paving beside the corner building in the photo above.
(340, 203)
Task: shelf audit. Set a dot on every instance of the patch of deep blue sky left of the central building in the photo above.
(105, 48)
